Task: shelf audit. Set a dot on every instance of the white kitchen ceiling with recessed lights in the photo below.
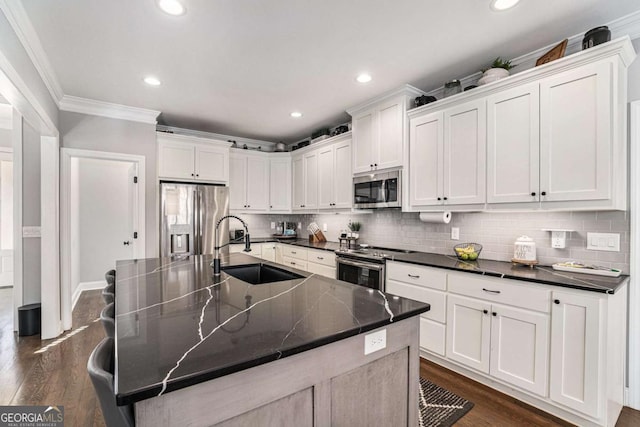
(240, 67)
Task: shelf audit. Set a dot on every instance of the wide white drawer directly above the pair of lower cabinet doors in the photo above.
(501, 290)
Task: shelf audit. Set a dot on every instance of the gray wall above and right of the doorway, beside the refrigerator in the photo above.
(118, 136)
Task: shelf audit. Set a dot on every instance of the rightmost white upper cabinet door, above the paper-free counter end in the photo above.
(576, 134)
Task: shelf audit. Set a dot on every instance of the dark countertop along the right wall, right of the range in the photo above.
(539, 274)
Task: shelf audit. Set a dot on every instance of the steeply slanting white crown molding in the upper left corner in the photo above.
(22, 27)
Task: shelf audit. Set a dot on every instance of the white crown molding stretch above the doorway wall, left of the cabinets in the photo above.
(75, 104)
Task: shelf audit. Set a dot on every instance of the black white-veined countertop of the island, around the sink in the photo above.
(177, 326)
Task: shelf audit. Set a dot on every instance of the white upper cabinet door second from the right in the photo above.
(513, 145)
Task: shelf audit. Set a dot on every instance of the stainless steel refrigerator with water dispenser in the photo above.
(188, 216)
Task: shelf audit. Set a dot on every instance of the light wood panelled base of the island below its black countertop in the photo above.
(335, 384)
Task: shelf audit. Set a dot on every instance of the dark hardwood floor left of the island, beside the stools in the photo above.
(58, 375)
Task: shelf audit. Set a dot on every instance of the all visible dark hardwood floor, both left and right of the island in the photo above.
(58, 376)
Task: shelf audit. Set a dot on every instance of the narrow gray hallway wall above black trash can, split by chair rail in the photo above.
(31, 213)
